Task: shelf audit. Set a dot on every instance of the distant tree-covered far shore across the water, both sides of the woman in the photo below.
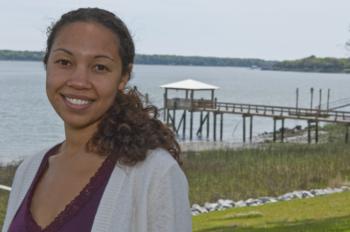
(308, 64)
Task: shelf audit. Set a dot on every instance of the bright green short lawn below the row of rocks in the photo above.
(324, 213)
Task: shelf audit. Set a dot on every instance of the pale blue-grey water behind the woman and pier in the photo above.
(28, 123)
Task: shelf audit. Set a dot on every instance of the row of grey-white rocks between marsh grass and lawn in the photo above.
(222, 204)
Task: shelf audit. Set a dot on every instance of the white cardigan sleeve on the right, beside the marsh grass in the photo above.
(169, 209)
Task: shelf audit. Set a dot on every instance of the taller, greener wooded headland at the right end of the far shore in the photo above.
(315, 64)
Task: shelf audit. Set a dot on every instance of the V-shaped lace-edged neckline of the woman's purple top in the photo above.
(73, 206)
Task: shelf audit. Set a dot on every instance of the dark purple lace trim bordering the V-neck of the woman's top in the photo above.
(77, 203)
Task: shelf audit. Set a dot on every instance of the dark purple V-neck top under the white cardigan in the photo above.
(78, 215)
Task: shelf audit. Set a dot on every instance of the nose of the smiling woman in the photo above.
(79, 78)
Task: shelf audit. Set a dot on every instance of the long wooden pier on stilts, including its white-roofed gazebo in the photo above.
(211, 108)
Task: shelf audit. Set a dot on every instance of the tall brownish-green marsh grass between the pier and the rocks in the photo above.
(269, 170)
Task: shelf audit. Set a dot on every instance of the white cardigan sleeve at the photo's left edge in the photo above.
(14, 194)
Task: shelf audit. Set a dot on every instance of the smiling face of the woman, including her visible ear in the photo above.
(84, 73)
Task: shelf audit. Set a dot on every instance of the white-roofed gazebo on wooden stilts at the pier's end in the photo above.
(187, 103)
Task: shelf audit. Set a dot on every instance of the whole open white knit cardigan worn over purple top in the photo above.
(151, 196)
